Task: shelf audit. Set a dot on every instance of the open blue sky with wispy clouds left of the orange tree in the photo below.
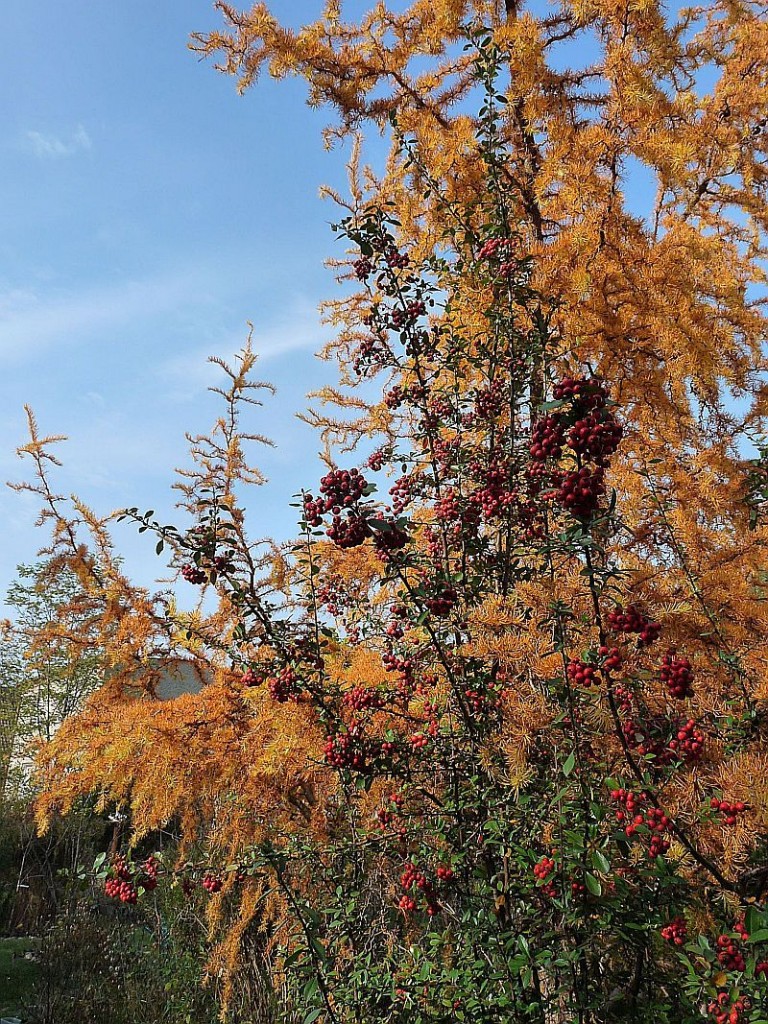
(148, 215)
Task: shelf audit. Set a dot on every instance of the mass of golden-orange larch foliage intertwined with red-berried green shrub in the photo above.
(489, 743)
